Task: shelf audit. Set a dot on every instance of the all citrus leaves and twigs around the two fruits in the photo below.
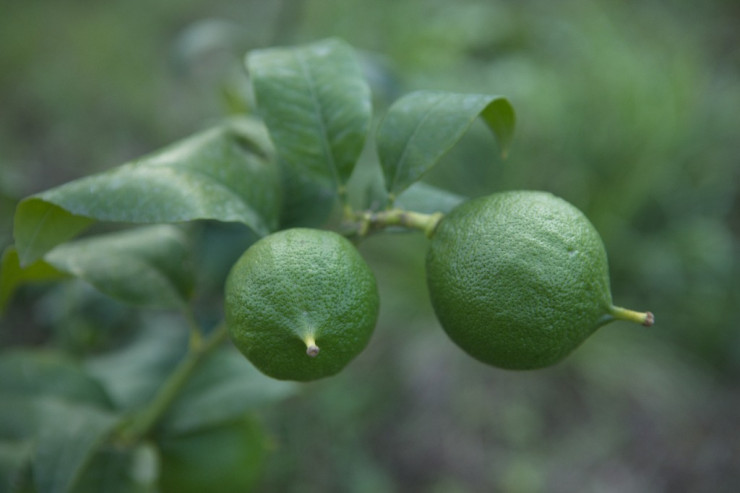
(150, 413)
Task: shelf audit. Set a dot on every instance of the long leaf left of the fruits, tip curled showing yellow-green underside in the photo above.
(224, 174)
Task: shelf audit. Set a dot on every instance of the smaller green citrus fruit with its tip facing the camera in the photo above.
(298, 292)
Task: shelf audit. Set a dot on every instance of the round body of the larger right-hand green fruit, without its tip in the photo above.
(518, 279)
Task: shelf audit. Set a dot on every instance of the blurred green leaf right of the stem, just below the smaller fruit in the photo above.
(225, 387)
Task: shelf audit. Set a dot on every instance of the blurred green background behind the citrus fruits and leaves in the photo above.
(630, 110)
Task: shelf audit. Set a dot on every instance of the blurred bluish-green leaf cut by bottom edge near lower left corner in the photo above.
(67, 440)
